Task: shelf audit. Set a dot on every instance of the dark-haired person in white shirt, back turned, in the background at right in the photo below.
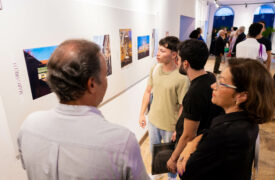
(251, 48)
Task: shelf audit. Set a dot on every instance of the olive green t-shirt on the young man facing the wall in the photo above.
(168, 89)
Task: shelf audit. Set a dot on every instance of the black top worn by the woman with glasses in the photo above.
(226, 150)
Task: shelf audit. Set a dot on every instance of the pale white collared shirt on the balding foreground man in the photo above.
(77, 143)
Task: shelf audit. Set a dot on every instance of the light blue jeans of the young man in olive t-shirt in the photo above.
(156, 135)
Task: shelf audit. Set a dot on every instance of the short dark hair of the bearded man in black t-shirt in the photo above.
(195, 52)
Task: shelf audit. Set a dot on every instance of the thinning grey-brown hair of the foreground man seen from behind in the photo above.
(70, 67)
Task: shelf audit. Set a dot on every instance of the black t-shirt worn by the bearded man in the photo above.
(197, 105)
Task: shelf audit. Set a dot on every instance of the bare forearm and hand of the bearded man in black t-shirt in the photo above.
(189, 133)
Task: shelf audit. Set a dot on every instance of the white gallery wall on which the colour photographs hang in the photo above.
(39, 23)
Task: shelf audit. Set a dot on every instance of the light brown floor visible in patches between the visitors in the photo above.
(266, 169)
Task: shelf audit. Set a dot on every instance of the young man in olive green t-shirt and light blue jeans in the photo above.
(168, 87)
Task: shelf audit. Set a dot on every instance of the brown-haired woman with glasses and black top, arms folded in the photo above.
(246, 92)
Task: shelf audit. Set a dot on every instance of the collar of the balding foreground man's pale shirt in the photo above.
(76, 110)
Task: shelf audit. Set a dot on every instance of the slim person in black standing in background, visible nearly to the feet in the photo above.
(219, 51)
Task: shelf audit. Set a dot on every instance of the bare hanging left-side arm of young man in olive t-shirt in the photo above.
(145, 102)
